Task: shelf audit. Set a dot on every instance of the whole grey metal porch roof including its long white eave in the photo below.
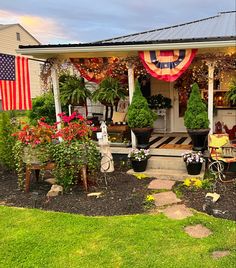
(208, 32)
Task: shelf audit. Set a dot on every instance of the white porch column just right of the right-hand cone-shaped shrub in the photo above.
(210, 94)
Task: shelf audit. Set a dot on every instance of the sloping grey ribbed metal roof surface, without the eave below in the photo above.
(221, 26)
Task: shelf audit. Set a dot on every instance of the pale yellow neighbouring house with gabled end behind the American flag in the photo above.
(13, 35)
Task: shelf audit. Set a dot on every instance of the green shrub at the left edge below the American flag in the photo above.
(7, 141)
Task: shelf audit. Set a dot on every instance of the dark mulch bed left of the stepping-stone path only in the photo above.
(121, 194)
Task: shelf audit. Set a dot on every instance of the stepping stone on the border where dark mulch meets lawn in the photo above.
(177, 212)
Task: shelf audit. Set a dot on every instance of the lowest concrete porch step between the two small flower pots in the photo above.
(176, 175)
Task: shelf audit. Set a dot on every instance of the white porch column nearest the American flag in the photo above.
(56, 93)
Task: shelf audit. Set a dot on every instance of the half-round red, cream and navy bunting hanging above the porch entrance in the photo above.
(167, 65)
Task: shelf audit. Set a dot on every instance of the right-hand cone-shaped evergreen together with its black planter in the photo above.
(196, 119)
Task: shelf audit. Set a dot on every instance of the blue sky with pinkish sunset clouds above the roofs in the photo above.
(75, 21)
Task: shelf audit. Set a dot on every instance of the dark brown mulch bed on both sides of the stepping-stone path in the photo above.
(122, 194)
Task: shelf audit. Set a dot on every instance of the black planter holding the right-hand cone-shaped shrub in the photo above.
(199, 138)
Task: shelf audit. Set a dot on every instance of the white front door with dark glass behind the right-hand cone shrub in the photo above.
(179, 108)
